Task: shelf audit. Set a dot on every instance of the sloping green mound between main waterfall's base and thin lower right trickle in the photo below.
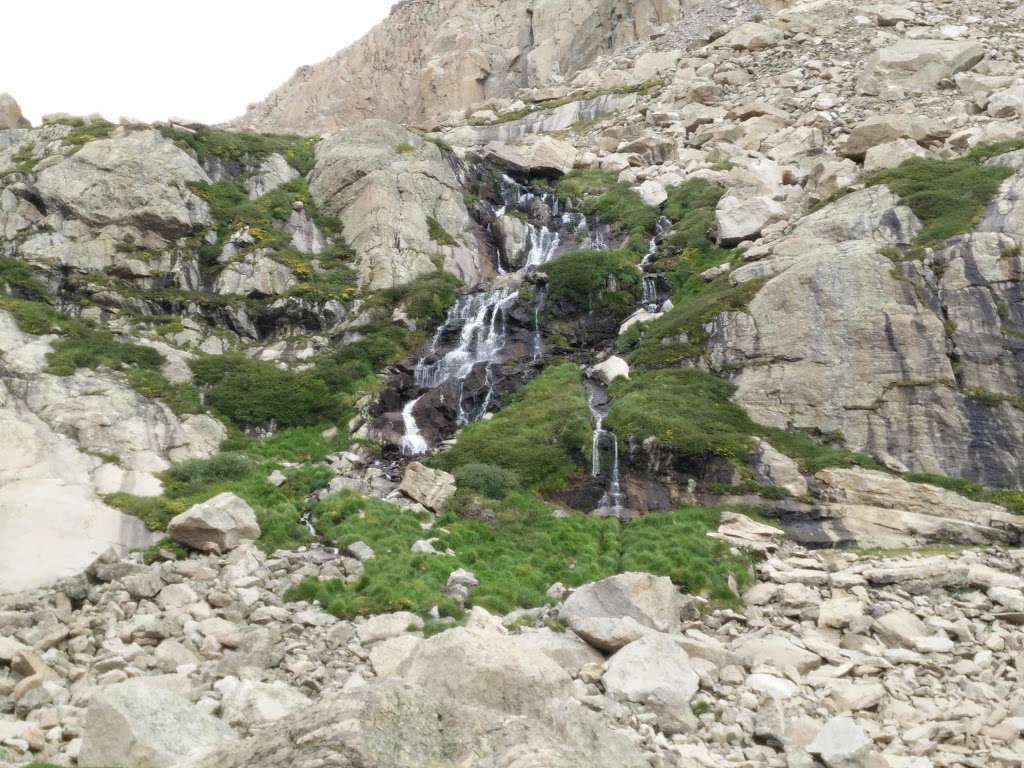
(542, 435)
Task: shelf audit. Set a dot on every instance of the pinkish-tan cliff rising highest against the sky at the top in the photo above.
(435, 57)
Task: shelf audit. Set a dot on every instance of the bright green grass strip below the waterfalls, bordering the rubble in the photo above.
(517, 559)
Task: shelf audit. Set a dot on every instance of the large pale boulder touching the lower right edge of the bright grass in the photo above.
(652, 602)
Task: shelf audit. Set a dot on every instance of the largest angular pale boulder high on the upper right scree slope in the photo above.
(917, 66)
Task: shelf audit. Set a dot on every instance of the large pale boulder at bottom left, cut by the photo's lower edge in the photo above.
(143, 726)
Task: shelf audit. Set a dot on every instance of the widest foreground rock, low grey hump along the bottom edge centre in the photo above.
(392, 726)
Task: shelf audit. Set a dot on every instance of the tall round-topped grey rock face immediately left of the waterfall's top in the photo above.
(400, 201)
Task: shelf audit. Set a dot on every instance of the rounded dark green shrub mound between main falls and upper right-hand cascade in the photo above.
(595, 280)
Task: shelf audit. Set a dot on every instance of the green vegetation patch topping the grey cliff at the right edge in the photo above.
(949, 196)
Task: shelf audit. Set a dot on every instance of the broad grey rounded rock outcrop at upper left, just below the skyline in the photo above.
(139, 179)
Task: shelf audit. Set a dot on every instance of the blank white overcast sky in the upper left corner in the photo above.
(151, 60)
